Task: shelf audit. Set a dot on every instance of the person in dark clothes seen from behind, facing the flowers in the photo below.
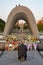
(22, 51)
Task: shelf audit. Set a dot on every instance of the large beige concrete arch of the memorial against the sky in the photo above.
(21, 12)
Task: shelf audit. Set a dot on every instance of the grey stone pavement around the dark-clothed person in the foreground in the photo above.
(10, 58)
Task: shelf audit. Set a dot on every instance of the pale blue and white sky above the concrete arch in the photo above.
(36, 7)
